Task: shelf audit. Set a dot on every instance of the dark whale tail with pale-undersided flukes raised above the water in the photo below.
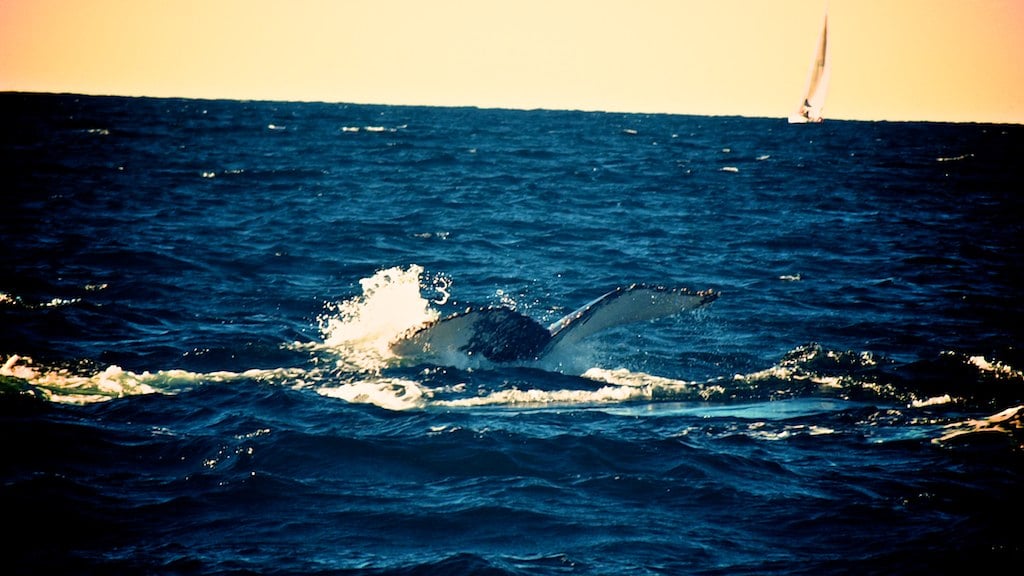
(501, 335)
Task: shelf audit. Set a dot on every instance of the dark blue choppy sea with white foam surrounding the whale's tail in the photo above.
(198, 301)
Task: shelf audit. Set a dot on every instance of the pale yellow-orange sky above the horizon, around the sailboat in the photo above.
(891, 60)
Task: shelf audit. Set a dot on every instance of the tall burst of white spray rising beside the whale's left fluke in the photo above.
(360, 331)
